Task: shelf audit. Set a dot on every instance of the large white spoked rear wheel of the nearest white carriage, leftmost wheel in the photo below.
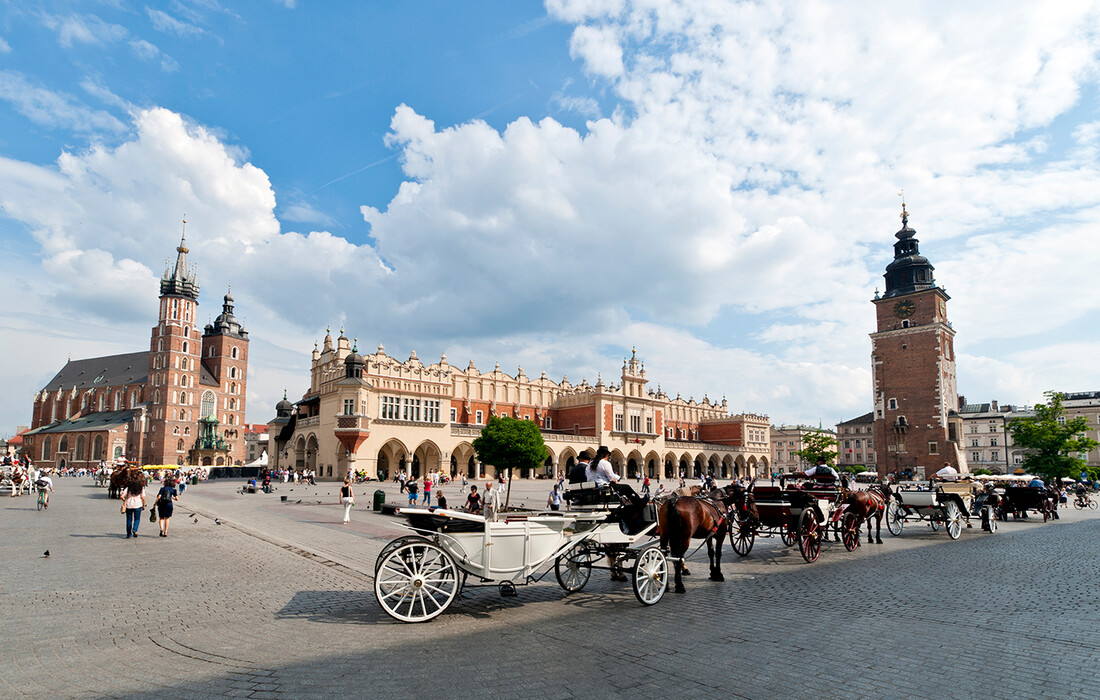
(416, 583)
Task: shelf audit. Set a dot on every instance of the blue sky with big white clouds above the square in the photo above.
(549, 187)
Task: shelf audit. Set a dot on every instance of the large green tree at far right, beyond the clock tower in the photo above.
(1053, 442)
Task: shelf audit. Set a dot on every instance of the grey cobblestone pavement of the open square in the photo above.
(277, 603)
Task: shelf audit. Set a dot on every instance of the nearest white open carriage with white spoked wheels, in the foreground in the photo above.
(419, 576)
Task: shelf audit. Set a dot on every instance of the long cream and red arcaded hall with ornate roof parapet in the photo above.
(382, 415)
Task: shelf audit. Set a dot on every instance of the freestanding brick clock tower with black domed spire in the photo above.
(914, 368)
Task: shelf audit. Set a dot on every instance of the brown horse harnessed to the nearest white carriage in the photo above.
(681, 519)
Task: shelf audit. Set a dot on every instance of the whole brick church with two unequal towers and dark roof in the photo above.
(180, 403)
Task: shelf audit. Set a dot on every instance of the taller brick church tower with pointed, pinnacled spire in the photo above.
(174, 367)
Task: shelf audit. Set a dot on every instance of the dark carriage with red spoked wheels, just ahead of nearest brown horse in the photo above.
(798, 513)
